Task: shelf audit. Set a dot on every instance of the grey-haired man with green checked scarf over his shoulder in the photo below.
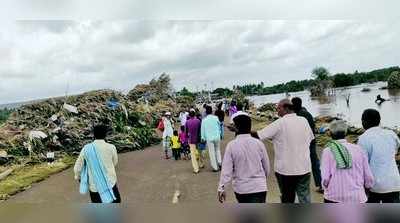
(344, 168)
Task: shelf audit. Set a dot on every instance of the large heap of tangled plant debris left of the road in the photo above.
(64, 124)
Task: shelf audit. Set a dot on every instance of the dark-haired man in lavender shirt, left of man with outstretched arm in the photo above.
(246, 164)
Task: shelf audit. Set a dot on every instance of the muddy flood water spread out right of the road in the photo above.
(336, 105)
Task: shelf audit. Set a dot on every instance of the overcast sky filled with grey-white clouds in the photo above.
(50, 57)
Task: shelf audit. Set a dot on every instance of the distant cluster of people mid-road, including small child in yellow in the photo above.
(197, 131)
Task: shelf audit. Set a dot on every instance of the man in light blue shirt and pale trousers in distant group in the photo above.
(211, 134)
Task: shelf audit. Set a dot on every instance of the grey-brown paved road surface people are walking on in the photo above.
(145, 178)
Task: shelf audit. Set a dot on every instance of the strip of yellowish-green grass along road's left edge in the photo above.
(23, 177)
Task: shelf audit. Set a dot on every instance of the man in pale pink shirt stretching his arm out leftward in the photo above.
(291, 136)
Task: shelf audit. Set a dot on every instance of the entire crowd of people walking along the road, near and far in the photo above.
(347, 173)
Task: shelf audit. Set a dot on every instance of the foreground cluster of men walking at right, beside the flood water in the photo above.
(348, 173)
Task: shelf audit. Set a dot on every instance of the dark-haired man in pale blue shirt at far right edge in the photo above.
(381, 146)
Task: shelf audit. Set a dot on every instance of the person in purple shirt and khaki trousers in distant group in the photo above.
(193, 126)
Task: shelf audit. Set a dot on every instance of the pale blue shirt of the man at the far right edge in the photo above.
(382, 146)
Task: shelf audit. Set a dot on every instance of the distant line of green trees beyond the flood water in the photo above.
(319, 74)
